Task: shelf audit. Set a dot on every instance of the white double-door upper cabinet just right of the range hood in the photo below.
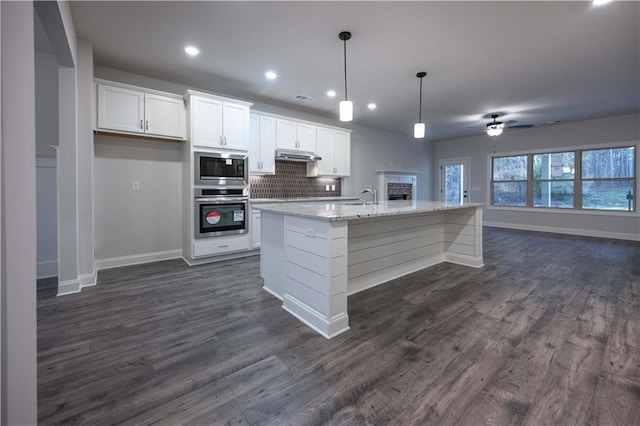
(334, 146)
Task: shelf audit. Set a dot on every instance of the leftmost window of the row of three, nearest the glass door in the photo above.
(509, 183)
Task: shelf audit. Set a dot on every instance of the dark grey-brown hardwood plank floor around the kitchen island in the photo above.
(547, 332)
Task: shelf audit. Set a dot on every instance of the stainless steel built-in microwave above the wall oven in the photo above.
(220, 168)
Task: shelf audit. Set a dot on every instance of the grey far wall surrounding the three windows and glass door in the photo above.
(625, 128)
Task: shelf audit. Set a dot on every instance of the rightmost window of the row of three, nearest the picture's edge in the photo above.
(608, 178)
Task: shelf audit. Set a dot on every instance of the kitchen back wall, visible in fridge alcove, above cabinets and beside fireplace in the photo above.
(123, 228)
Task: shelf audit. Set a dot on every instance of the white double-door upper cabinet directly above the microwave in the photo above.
(216, 122)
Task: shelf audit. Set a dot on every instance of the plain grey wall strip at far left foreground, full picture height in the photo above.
(18, 235)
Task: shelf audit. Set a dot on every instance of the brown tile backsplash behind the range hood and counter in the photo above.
(291, 181)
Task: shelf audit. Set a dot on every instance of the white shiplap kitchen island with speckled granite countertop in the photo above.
(314, 255)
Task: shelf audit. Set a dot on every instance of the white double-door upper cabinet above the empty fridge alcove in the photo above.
(129, 109)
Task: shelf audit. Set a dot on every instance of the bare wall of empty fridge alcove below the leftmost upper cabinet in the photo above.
(132, 224)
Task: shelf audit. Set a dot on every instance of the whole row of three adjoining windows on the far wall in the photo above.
(595, 179)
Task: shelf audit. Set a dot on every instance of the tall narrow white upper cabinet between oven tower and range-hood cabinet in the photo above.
(262, 144)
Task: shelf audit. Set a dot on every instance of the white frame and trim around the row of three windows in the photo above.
(577, 181)
